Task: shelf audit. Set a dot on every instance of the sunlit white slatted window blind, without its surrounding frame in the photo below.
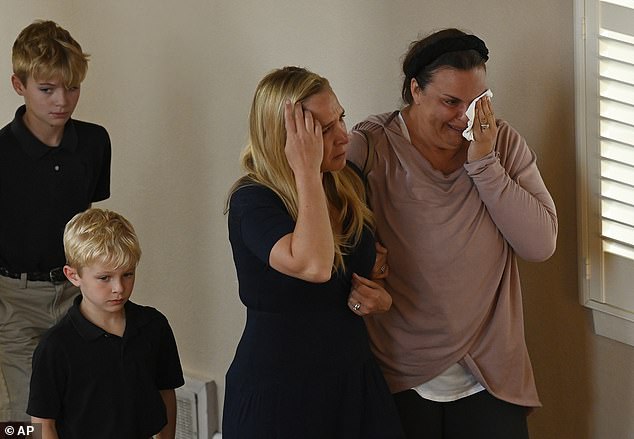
(616, 126)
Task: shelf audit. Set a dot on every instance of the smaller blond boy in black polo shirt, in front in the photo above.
(109, 368)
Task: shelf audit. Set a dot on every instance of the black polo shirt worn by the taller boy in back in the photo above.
(42, 187)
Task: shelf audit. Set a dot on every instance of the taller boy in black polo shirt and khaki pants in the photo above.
(51, 167)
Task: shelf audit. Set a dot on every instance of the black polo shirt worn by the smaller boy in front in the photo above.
(98, 385)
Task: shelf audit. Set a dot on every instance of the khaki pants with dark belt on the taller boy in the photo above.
(27, 310)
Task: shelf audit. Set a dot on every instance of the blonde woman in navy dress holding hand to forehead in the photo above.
(304, 249)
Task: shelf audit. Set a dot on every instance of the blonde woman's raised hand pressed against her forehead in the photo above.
(304, 147)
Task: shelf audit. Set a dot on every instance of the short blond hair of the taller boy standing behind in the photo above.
(45, 50)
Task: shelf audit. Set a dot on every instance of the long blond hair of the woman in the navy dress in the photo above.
(265, 163)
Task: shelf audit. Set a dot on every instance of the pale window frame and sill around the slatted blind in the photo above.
(610, 320)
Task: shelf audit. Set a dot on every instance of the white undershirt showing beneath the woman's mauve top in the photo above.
(455, 382)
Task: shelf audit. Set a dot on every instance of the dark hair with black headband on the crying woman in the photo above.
(448, 48)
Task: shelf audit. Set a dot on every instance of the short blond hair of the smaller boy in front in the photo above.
(101, 236)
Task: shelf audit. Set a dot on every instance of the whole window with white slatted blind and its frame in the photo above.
(604, 79)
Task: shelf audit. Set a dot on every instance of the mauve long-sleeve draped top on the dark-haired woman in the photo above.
(453, 241)
